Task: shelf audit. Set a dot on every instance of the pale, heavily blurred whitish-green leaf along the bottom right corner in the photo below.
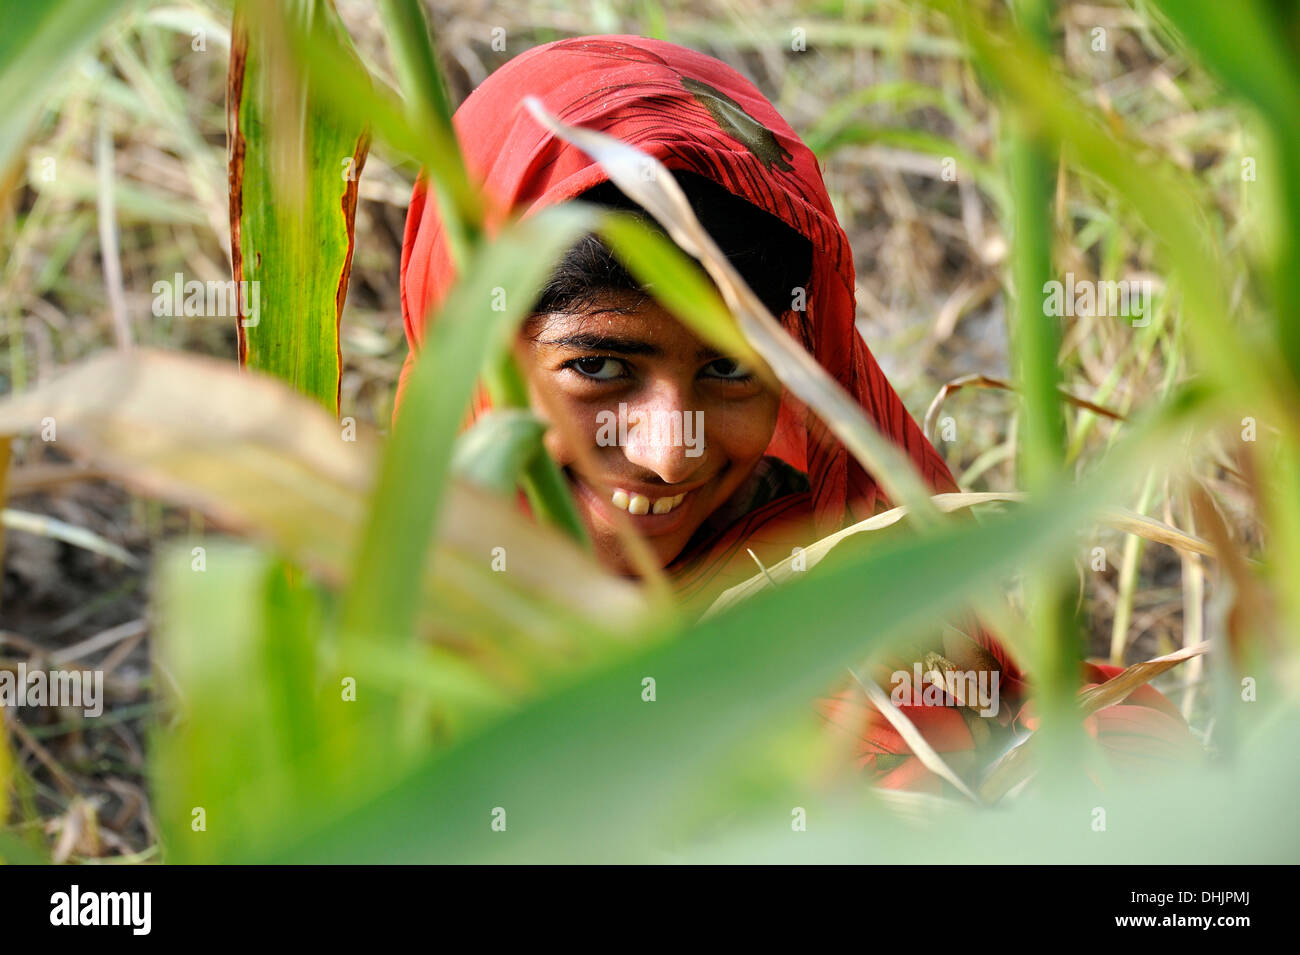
(1150, 819)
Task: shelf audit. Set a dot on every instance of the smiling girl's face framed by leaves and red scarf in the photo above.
(671, 427)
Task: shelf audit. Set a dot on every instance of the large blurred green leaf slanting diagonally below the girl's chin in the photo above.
(595, 770)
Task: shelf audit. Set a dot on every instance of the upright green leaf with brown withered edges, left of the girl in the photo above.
(294, 172)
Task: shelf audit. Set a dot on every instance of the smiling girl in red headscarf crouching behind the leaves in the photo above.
(762, 475)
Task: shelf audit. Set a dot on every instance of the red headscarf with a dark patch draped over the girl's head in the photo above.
(696, 114)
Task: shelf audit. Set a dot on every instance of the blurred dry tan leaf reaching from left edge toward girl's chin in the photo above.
(258, 458)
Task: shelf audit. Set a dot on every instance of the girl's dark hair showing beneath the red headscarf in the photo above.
(773, 258)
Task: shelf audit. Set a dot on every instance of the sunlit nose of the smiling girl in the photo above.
(665, 436)
